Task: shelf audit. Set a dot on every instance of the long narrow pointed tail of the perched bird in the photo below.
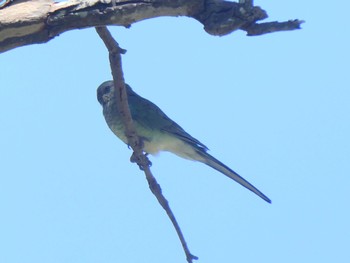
(219, 166)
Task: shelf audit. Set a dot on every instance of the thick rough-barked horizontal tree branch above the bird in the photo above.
(25, 22)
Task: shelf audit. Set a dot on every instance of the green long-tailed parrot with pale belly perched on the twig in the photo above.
(159, 133)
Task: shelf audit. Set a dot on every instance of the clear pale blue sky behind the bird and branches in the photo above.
(275, 108)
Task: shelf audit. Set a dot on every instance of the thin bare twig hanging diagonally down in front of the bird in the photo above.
(133, 140)
